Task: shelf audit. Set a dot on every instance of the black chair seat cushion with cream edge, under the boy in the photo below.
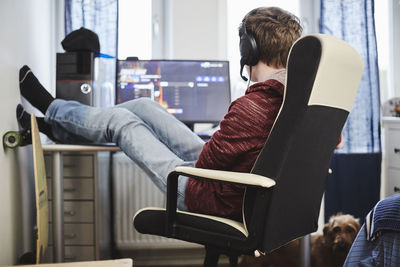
(148, 221)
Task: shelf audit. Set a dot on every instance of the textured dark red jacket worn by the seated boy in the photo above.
(235, 147)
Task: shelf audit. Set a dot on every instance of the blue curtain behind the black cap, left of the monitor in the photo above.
(100, 16)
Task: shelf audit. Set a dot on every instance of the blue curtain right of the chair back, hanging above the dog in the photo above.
(354, 185)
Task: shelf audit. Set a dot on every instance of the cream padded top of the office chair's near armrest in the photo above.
(227, 176)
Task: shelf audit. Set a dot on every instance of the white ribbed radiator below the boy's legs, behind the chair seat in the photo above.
(133, 190)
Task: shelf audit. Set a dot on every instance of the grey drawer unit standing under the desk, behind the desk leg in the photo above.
(83, 230)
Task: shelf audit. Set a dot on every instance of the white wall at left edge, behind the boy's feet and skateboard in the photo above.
(27, 30)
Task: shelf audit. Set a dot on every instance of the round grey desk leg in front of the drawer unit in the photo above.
(58, 207)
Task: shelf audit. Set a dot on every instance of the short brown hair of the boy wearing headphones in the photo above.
(275, 31)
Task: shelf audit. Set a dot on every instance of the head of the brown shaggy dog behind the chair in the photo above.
(340, 232)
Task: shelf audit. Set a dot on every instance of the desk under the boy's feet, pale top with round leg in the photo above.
(58, 189)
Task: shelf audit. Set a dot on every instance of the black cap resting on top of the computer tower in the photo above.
(81, 40)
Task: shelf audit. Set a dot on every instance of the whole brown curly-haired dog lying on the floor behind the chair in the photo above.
(327, 250)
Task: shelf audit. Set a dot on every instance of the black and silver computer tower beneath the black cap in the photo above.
(86, 77)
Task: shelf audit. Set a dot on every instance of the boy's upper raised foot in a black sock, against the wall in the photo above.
(33, 91)
